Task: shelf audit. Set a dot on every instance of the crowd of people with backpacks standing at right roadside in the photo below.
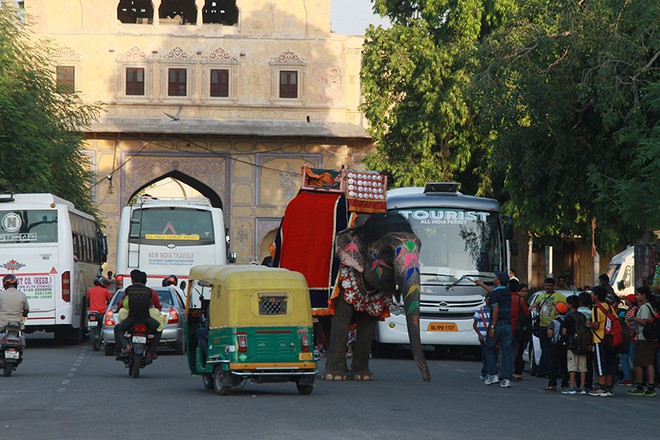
(580, 351)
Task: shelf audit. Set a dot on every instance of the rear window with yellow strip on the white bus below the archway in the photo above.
(165, 225)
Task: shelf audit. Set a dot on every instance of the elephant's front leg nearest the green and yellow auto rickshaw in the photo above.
(335, 367)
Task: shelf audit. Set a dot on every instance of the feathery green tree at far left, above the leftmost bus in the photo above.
(41, 144)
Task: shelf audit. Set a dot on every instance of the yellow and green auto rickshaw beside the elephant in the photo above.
(249, 322)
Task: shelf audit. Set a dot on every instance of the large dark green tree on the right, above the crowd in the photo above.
(558, 90)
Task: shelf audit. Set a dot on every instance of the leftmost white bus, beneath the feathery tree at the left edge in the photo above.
(55, 251)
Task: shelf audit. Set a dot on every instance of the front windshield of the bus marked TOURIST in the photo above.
(457, 242)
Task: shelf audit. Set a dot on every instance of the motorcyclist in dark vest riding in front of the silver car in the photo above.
(140, 299)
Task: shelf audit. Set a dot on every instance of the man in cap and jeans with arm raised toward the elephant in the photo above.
(499, 331)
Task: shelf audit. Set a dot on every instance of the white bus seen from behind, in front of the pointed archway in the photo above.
(165, 237)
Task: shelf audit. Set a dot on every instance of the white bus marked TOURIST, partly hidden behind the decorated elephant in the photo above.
(462, 237)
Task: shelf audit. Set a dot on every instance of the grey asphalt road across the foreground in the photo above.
(71, 392)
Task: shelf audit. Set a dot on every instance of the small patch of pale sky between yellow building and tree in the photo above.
(352, 17)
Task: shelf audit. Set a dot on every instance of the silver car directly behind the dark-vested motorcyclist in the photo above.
(173, 306)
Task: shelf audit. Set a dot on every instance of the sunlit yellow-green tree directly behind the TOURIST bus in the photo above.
(415, 78)
